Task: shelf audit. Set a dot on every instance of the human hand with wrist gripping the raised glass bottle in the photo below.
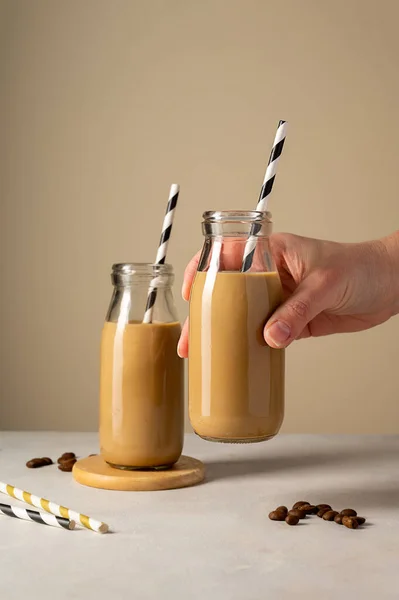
(328, 288)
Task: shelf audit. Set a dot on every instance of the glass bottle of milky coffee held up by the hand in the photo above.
(236, 381)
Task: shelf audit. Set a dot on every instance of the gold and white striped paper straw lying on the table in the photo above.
(52, 508)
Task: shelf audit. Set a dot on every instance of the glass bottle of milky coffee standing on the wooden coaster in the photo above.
(142, 377)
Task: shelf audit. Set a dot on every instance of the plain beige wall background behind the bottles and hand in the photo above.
(105, 103)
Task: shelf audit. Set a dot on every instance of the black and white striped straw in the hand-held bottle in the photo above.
(265, 192)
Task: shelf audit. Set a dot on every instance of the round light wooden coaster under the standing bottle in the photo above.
(95, 472)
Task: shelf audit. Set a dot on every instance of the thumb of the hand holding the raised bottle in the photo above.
(291, 318)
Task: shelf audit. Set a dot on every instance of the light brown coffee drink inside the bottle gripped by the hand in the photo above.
(236, 381)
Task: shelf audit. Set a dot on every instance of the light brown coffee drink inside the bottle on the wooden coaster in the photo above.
(141, 395)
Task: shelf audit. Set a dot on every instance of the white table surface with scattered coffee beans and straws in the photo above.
(212, 541)
